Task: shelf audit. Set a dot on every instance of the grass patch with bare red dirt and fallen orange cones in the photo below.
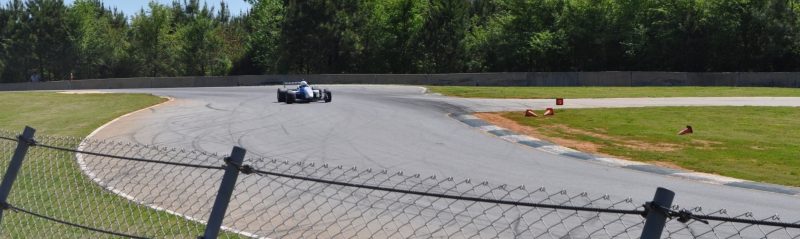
(754, 143)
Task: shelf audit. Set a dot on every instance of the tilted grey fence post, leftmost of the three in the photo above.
(13, 167)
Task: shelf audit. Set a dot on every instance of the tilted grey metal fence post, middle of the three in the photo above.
(224, 194)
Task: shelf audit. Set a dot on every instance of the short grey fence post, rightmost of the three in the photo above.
(656, 218)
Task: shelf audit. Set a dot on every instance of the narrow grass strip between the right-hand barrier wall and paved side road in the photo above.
(608, 92)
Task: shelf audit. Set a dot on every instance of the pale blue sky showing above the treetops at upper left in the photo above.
(129, 7)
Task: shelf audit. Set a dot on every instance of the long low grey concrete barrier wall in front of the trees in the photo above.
(612, 78)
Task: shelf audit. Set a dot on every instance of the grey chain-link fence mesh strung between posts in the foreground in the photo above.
(75, 188)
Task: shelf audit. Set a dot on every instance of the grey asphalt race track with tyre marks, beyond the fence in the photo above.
(400, 128)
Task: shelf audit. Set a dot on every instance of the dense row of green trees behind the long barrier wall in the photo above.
(51, 39)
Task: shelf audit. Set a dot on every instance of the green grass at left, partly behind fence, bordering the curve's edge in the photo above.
(73, 115)
